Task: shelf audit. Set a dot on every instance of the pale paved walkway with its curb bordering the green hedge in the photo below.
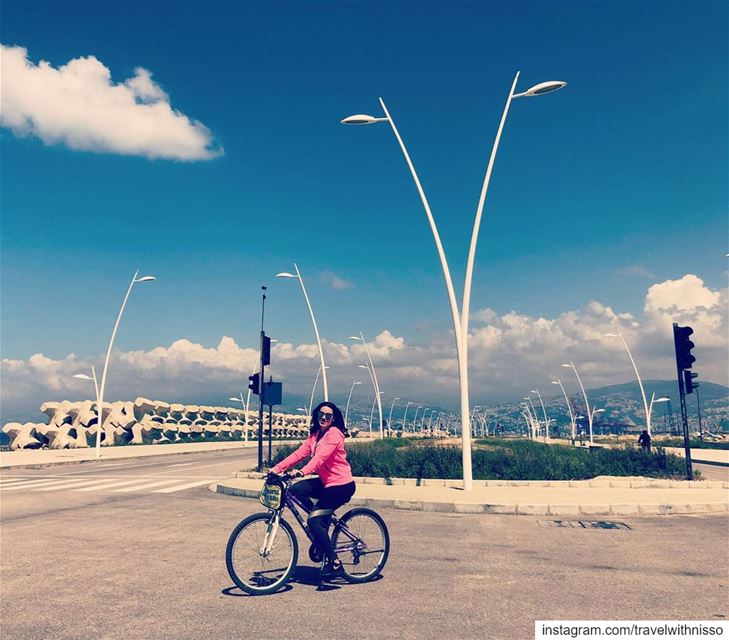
(607, 496)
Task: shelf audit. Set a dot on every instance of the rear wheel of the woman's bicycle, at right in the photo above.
(362, 544)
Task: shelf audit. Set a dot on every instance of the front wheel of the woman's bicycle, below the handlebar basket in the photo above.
(257, 564)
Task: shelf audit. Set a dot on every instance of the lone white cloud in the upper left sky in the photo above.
(78, 104)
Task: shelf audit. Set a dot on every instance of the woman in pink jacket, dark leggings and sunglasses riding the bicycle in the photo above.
(334, 485)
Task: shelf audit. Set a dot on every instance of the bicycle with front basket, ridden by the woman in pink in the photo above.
(260, 560)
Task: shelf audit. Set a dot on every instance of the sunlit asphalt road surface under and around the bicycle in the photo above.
(140, 564)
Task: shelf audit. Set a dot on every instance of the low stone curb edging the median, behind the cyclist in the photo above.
(562, 509)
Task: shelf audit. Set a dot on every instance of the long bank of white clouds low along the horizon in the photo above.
(509, 353)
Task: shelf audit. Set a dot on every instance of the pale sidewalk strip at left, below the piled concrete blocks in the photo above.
(35, 458)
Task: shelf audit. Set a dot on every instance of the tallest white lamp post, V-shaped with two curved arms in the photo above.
(460, 319)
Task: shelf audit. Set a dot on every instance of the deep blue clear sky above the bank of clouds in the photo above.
(599, 191)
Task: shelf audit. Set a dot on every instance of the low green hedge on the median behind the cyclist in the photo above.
(504, 460)
